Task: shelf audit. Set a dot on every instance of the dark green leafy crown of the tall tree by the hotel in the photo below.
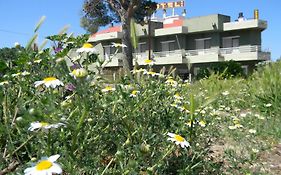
(98, 13)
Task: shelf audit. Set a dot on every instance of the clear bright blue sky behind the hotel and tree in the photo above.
(19, 17)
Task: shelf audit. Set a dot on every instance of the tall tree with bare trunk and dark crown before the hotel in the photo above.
(103, 12)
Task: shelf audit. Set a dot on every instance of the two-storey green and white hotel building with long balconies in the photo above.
(199, 41)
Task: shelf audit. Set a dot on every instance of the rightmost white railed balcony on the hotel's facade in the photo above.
(245, 53)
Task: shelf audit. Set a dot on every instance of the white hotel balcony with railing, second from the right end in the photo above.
(203, 55)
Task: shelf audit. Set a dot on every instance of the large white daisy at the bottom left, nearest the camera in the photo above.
(45, 166)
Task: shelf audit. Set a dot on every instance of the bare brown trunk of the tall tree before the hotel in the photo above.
(127, 51)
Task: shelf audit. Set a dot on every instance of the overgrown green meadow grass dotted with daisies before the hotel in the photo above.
(115, 132)
